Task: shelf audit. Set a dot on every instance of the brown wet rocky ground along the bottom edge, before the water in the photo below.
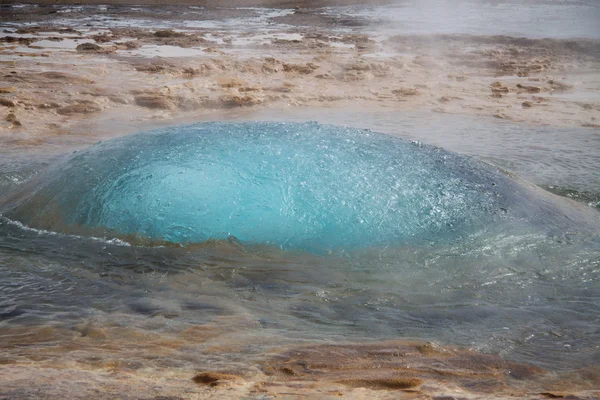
(122, 363)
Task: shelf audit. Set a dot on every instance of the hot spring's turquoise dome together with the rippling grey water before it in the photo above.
(288, 233)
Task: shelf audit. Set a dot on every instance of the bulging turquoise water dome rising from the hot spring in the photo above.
(299, 186)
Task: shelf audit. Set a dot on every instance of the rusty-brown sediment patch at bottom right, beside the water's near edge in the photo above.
(400, 365)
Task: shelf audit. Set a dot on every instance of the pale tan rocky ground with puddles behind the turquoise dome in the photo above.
(57, 79)
